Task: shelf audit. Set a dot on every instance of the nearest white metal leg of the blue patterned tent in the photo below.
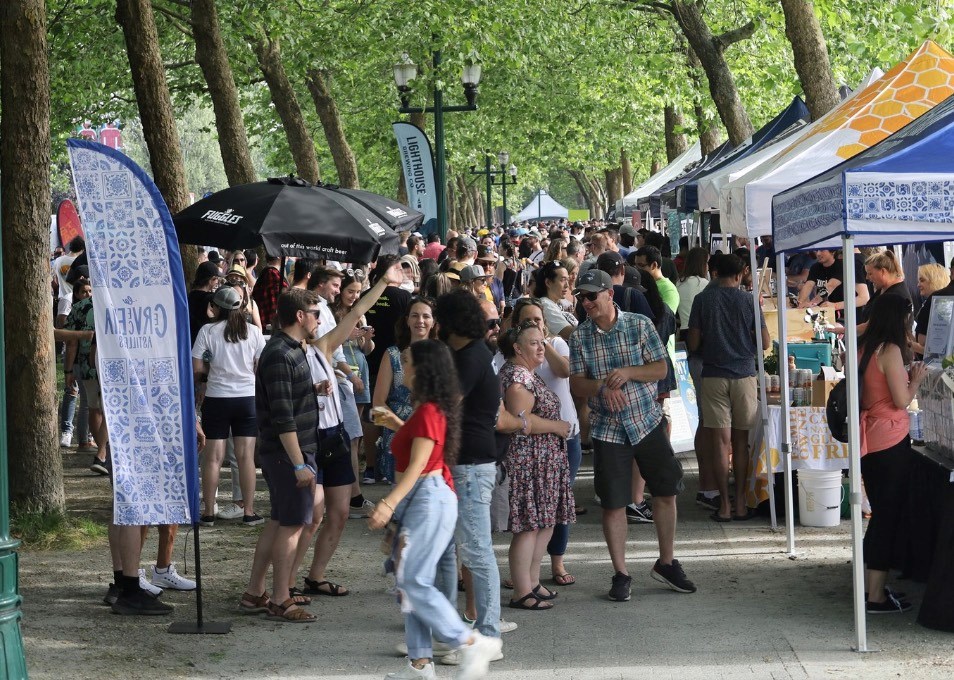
(854, 448)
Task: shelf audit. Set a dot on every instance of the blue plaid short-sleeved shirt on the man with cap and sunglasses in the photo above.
(594, 354)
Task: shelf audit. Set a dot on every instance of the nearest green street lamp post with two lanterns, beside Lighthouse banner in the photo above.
(404, 72)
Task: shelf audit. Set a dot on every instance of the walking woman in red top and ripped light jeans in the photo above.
(424, 503)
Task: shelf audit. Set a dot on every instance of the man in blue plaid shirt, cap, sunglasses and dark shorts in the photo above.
(616, 359)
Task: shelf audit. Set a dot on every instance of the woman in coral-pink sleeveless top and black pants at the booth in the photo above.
(887, 389)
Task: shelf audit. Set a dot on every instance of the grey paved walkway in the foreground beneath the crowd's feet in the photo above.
(757, 614)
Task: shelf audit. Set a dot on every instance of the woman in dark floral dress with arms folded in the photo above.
(540, 493)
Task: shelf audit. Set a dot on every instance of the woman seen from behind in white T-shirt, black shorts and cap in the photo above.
(224, 358)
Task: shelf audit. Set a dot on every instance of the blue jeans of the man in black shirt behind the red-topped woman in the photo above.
(475, 485)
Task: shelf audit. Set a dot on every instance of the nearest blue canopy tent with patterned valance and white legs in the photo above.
(898, 191)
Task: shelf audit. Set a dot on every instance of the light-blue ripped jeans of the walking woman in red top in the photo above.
(427, 559)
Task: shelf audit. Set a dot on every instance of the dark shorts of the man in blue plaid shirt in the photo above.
(613, 468)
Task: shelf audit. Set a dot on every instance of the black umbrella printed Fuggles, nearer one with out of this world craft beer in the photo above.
(291, 218)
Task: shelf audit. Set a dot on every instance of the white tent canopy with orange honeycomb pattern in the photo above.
(908, 90)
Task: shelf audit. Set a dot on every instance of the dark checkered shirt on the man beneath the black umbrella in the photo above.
(285, 396)
